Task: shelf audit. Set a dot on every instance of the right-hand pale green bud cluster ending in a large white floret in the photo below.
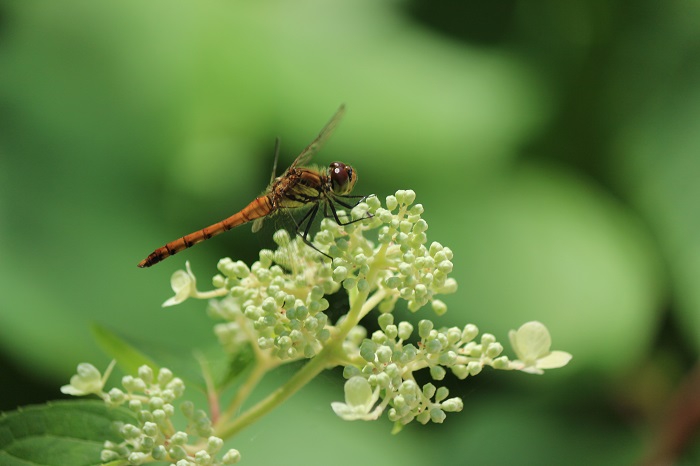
(388, 363)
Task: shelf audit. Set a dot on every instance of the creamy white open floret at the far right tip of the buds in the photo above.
(531, 343)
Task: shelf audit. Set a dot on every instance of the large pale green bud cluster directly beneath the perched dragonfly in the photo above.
(278, 303)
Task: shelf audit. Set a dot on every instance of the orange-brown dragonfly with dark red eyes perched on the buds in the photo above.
(298, 187)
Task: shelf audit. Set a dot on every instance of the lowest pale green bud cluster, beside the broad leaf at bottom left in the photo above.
(153, 437)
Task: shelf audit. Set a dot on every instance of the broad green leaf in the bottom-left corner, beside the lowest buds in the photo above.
(60, 433)
